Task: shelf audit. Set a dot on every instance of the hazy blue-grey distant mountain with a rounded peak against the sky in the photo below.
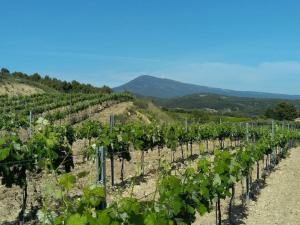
(150, 86)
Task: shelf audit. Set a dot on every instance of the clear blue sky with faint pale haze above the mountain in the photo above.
(241, 44)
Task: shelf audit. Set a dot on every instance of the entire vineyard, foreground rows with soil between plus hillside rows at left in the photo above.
(91, 171)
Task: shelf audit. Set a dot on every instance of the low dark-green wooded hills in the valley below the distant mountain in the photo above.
(217, 106)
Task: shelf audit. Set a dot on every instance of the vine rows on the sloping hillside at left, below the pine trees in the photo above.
(53, 107)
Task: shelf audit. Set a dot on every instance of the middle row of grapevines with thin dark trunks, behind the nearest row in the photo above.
(144, 137)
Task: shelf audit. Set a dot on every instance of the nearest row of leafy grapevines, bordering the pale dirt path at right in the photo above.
(177, 198)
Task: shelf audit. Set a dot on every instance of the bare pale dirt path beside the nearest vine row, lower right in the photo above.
(279, 201)
